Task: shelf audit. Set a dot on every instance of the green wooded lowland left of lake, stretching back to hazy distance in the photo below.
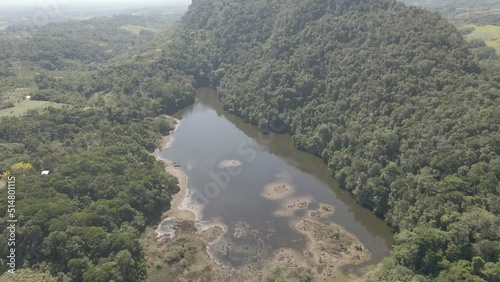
(83, 221)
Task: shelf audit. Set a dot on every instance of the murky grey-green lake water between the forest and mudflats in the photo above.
(229, 162)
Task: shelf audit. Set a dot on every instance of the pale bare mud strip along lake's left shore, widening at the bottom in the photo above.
(171, 257)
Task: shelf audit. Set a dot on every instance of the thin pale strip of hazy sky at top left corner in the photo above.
(5, 3)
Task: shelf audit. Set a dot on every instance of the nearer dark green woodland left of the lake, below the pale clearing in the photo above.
(83, 221)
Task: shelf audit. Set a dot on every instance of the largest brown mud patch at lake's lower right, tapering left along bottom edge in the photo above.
(324, 254)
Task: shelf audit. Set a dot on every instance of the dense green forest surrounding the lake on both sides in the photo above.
(402, 109)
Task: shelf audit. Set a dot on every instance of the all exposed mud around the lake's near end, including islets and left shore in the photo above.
(184, 248)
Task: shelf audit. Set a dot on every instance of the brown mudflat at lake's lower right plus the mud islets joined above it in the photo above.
(329, 246)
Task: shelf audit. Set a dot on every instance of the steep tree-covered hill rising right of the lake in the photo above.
(391, 97)
